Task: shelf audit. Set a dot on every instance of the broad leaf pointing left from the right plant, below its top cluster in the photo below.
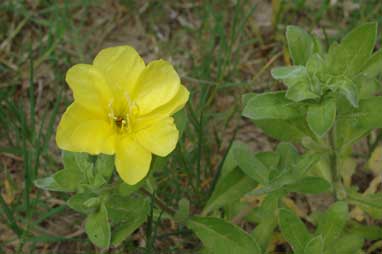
(272, 105)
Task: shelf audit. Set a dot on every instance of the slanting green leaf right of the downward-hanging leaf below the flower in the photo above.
(134, 216)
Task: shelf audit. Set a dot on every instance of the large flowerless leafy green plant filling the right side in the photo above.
(329, 105)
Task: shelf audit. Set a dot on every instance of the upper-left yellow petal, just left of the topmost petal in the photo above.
(89, 87)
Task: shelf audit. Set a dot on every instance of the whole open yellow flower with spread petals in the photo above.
(123, 107)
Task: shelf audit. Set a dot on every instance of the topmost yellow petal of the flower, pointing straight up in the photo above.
(121, 65)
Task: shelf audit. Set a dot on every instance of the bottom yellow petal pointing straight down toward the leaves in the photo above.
(132, 160)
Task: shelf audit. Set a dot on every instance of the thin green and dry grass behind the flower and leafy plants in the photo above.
(220, 49)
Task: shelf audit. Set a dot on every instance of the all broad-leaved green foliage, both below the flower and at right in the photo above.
(330, 103)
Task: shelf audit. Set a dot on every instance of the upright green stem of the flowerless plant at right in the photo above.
(335, 167)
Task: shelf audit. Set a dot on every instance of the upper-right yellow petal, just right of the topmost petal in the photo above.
(156, 86)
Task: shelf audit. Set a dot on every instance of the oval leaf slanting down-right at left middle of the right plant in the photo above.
(250, 165)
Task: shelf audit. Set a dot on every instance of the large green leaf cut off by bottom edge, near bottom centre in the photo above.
(222, 237)
